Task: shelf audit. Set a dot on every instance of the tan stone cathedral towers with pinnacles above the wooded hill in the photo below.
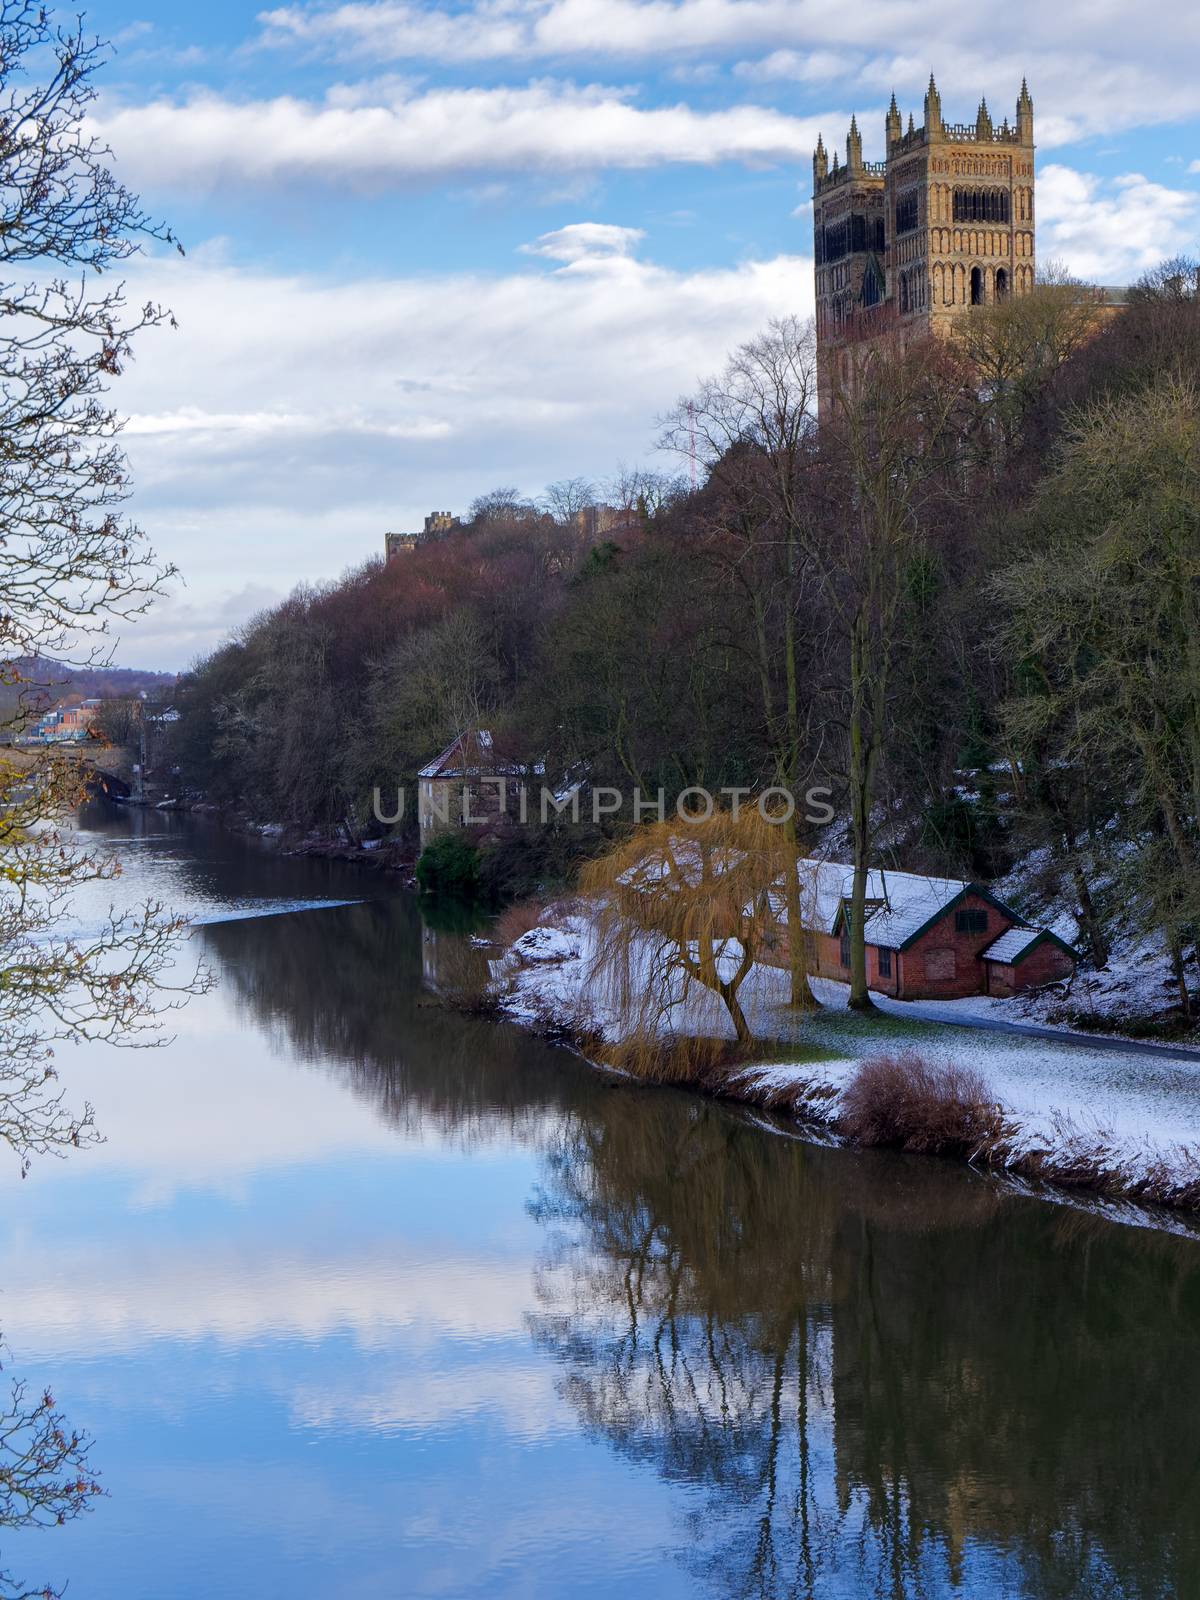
(945, 223)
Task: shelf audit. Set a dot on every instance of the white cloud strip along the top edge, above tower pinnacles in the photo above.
(1097, 73)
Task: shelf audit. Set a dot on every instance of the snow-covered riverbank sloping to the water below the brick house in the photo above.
(1126, 1122)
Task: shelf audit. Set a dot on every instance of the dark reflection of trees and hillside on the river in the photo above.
(868, 1375)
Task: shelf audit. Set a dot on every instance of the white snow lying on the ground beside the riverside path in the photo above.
(1142, 1103)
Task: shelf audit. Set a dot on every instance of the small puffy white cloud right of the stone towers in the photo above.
(1113, 231)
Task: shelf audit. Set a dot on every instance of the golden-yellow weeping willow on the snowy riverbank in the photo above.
(686, 910)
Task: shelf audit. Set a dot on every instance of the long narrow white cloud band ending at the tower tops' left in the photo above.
(406, 137)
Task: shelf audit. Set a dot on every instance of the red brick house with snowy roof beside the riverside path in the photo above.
(929, 938)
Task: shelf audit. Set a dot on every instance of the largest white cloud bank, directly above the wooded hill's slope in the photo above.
(321, 415)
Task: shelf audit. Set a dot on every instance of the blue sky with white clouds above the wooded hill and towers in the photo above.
(439, 249)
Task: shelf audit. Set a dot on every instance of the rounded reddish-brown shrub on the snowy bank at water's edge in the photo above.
(910, 1105)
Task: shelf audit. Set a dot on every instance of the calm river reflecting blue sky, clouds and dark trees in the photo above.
(367, 1298)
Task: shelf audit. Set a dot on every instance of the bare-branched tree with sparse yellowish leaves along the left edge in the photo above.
(71, 566)
